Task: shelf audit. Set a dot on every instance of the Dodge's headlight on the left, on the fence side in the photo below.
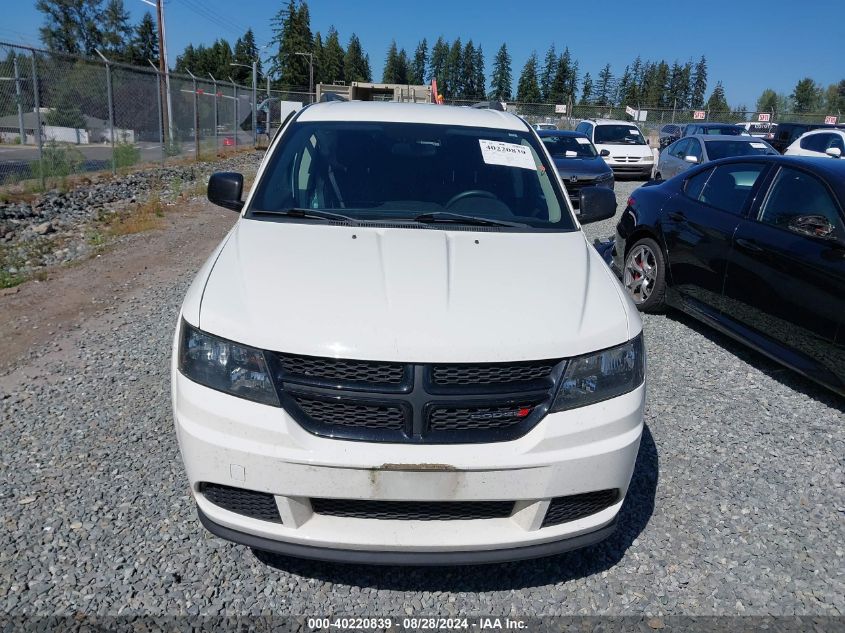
(220, 364)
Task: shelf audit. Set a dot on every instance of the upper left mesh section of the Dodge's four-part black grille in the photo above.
(340, 370)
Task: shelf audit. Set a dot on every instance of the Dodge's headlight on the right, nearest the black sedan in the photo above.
(595, 377)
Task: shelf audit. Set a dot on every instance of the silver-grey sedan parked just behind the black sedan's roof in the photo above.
(699, 149)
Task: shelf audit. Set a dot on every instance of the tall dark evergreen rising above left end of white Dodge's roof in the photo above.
(292, 34)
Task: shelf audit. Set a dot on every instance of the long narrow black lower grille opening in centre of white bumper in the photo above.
(412, 510)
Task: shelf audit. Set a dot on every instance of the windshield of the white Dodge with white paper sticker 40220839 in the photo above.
(376, 171)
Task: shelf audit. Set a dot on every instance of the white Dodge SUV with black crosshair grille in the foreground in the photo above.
(406, 351)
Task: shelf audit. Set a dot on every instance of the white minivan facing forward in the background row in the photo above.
(621, 144)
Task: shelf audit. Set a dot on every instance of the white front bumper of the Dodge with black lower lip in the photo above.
(234, 442)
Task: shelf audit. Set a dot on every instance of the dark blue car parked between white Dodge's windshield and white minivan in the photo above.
(577, 162)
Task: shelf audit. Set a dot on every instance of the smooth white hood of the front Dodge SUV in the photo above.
(413, 295)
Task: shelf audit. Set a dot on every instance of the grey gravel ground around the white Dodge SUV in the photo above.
(737, 504)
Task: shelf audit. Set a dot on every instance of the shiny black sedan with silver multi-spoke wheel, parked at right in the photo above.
(754, 246)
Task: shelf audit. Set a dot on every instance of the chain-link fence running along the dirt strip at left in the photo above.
(62, 115)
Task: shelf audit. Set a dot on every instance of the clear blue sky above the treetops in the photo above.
(749, 45)
